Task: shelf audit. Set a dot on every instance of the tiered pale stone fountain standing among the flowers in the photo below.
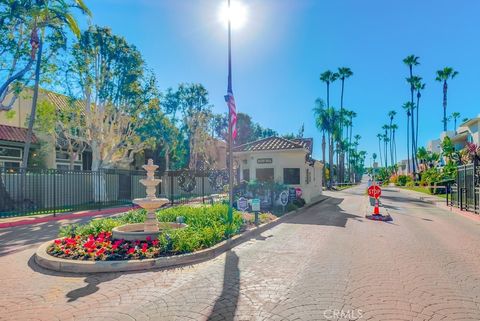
(151, 228)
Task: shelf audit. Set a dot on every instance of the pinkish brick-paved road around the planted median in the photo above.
(328, 261)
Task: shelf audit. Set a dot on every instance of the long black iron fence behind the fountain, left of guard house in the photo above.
(45, 191)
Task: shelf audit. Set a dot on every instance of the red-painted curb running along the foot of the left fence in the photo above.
(110, 211)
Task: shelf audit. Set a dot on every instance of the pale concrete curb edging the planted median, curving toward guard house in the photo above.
(45, 260)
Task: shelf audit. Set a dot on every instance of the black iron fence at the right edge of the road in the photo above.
(465, 192)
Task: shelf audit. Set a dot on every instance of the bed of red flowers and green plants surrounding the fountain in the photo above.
(207, 226)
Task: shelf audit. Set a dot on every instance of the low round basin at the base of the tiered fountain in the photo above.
(134, 232)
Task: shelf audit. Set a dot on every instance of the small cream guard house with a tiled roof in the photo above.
(287, 161)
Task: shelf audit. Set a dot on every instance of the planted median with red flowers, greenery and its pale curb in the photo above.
(90, 248)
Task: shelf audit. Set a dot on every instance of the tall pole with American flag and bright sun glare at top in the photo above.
(234, 13)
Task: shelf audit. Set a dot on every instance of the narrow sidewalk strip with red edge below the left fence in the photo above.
(29, 220)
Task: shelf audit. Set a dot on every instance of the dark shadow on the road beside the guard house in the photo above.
(331, 214)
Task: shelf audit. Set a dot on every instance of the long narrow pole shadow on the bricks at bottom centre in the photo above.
(226, 304)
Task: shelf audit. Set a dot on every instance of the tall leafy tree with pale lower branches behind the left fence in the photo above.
(109, 77)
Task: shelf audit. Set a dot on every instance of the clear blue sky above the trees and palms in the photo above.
(285, 44)
